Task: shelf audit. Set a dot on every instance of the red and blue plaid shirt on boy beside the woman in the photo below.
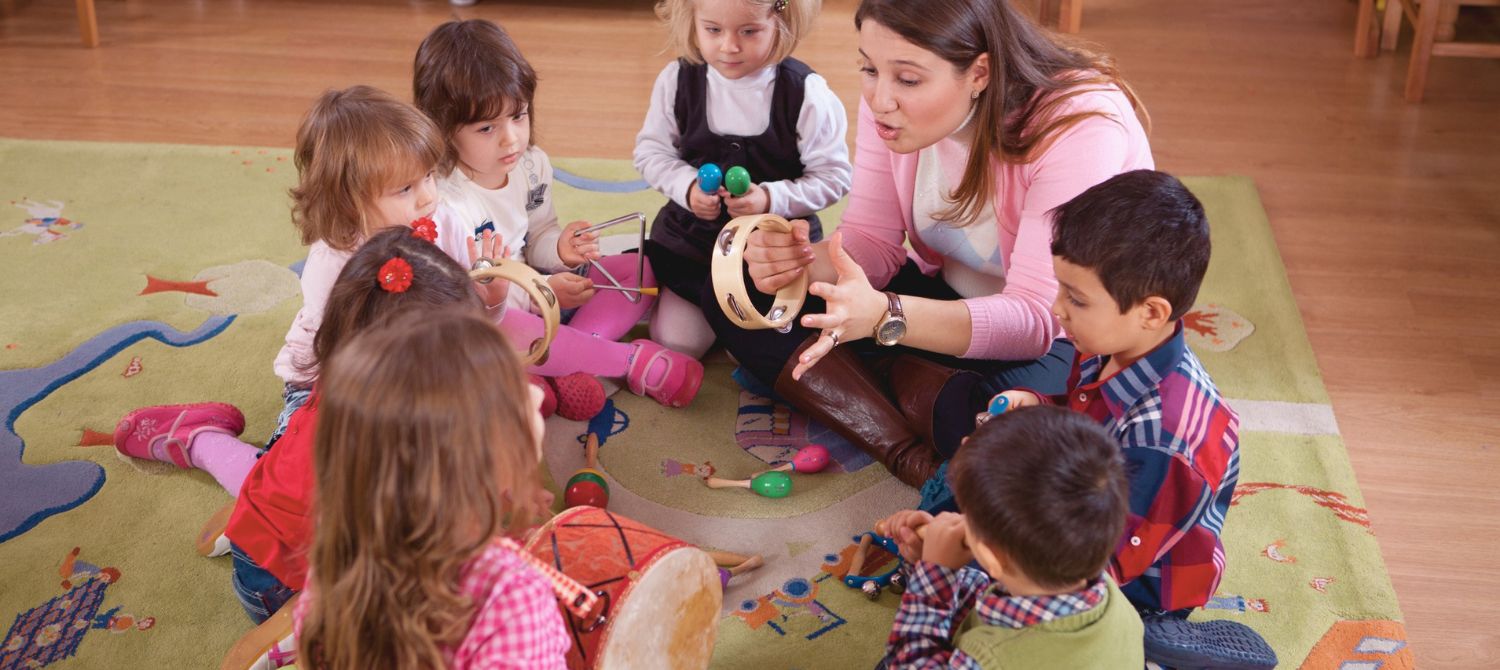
(1181, 446)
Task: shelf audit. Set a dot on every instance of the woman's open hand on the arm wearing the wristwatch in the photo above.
(854, 308)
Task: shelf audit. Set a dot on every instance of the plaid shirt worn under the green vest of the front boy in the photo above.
(938, 599)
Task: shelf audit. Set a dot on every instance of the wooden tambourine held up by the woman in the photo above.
(730, 283)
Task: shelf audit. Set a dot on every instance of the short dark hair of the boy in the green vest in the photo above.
(1046, 486)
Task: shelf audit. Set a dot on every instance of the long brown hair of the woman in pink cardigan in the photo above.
(1033, 74)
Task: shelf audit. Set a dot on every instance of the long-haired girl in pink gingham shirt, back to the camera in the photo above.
(416, 492)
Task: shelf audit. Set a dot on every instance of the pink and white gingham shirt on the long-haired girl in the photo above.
(517, 620)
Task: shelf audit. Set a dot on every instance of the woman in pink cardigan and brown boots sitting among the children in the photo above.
(974, 124)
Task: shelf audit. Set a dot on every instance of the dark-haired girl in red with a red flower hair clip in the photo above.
(271, 528)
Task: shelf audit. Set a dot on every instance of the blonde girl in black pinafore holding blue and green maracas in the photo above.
(734, 97)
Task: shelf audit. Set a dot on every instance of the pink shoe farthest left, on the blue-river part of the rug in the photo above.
(166, 432)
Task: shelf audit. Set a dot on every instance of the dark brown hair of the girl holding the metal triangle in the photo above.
(467, 73)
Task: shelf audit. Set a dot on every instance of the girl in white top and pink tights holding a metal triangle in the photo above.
(473, 82)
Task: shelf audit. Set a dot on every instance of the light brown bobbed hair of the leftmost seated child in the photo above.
(352, 146)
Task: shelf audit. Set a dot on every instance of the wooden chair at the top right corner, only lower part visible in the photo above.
(1432, 20)
